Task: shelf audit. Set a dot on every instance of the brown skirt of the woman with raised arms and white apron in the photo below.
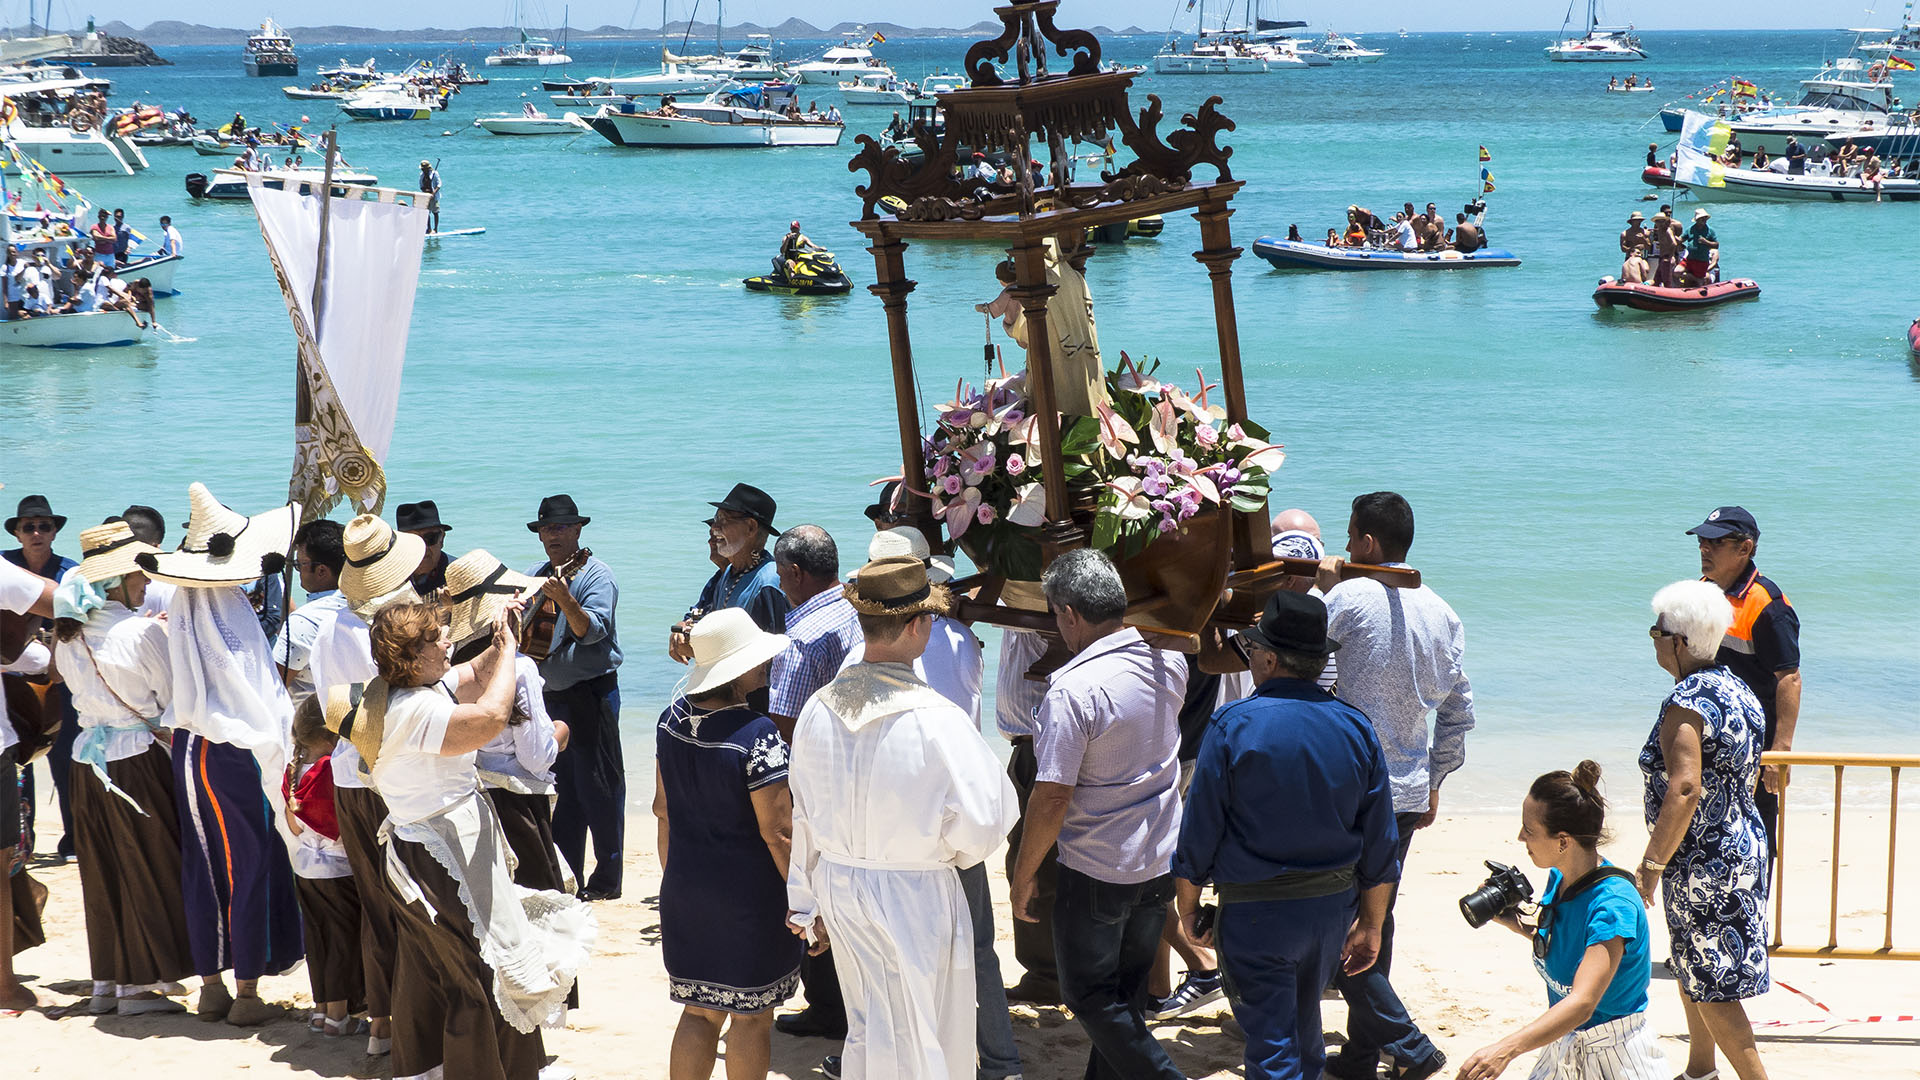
(444, 1012)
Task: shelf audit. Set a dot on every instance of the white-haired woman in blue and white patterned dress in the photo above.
(1708, 845)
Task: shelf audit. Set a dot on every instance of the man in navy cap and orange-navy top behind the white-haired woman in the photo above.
(1764, 645)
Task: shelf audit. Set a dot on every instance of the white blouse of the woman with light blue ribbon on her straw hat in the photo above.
(133, 668)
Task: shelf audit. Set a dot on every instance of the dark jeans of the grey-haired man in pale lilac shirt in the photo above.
(1105, 945)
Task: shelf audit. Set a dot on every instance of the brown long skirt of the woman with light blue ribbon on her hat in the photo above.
(132, 871)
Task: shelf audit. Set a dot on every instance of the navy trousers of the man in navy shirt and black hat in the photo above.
(1278, 956)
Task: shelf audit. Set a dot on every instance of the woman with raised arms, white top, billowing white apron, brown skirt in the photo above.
(481, 962)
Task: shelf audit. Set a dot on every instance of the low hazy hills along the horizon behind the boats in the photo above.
(178, 34)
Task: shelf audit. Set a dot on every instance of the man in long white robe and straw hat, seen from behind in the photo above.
(894, 791)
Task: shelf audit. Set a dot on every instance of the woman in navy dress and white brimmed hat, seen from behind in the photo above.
(723, 806)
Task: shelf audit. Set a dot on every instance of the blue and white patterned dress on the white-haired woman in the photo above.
(1716, 885)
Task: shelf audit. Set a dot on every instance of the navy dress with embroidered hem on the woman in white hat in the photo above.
(723, 902)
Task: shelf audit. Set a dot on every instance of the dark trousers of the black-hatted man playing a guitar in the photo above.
(590, 781)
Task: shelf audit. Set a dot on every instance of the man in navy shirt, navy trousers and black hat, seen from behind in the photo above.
(1291, 816)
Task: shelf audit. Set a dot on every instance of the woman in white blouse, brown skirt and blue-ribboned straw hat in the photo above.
(128, 839)
